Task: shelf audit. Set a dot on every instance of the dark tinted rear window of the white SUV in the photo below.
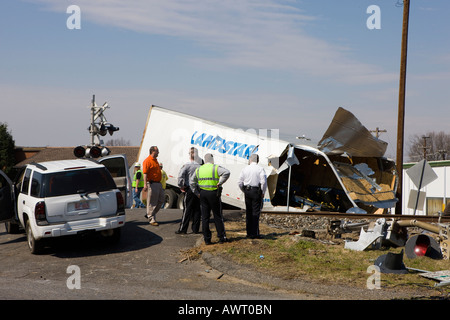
(76, 181)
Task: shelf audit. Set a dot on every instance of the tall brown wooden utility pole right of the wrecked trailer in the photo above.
(401, 107)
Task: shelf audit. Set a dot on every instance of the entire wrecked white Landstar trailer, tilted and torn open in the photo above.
(345, 172)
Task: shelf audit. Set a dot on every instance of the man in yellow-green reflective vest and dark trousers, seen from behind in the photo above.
(206, 183)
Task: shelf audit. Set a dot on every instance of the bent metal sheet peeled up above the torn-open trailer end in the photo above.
(347, 135)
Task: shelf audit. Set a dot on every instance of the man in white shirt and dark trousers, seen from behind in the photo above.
(253, 182)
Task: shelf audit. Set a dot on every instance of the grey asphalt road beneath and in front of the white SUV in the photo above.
(145, 265)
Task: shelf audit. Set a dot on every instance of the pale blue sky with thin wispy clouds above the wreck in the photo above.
(284, 65)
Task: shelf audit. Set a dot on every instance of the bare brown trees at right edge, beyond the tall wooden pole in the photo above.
(430, 146)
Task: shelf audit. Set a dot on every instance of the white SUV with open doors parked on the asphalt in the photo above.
(67, 197)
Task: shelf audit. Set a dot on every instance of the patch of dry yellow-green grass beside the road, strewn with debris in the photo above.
(294, 257)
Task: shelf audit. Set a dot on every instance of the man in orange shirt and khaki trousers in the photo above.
(153, 186)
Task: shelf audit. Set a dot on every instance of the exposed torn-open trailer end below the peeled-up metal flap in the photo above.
(338, 183)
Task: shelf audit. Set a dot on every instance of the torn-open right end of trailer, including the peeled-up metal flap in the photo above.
(346, 172)
